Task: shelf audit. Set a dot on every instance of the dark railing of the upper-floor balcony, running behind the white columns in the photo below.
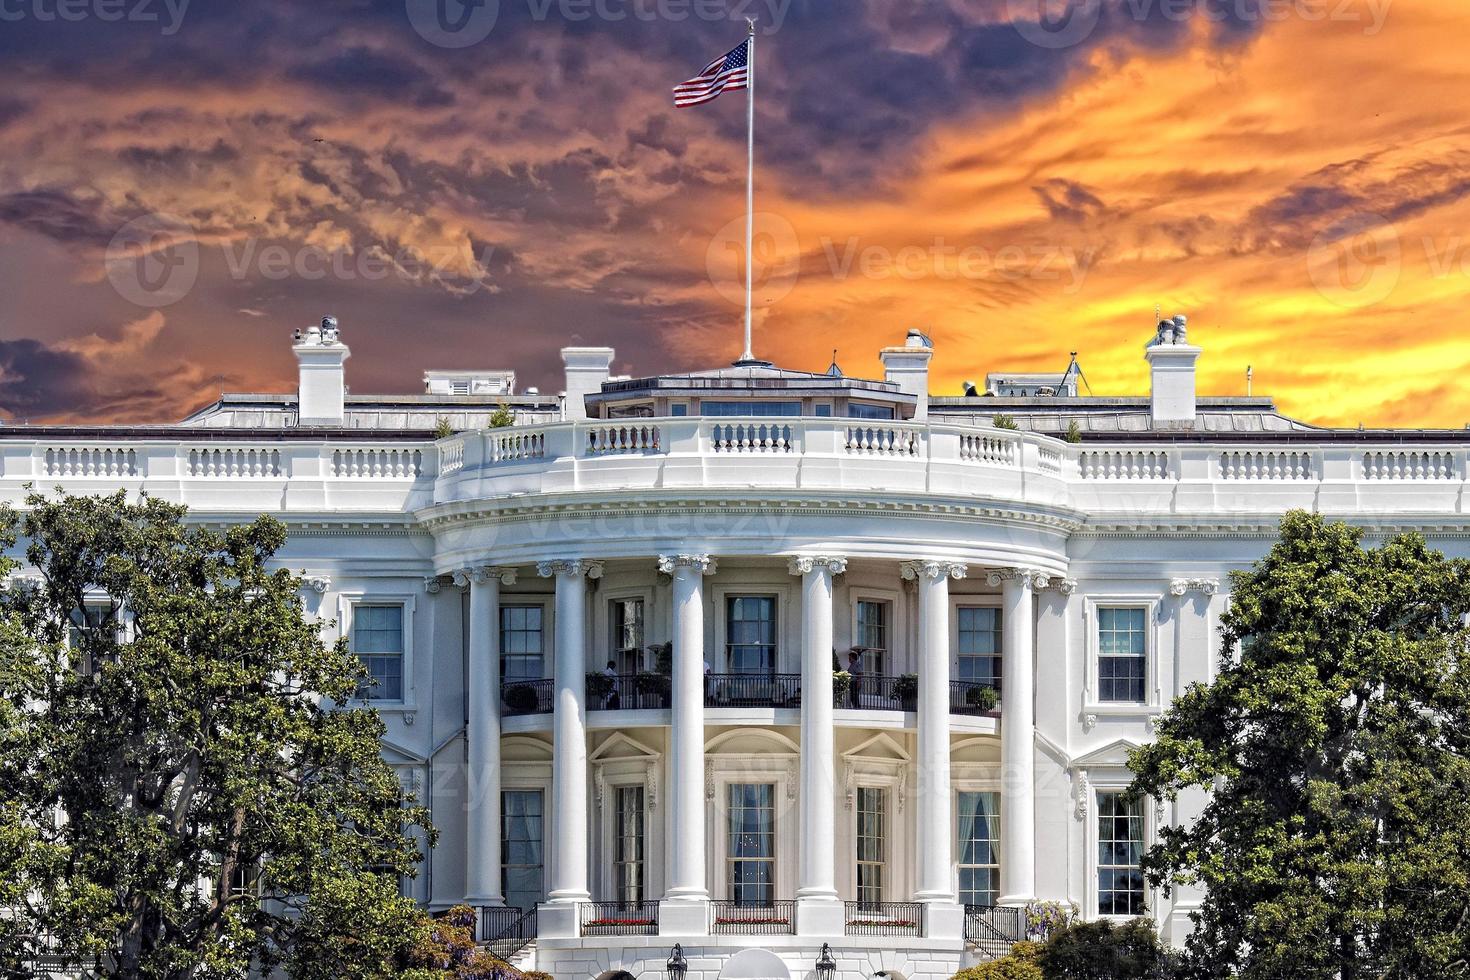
(652, 693)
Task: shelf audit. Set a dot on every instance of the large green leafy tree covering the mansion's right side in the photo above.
(1337, 744)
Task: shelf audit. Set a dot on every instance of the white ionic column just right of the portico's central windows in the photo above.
(820, 910)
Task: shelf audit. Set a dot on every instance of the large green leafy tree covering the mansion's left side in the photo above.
(184, 796)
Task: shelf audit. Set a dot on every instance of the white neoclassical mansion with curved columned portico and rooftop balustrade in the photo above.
(605, 638)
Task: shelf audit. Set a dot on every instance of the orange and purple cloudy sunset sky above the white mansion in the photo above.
(1021, 179)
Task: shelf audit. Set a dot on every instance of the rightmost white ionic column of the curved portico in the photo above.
(1018, 732)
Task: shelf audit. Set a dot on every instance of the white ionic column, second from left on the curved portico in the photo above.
(570, 729)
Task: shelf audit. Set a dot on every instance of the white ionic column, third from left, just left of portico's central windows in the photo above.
(687, 878)
